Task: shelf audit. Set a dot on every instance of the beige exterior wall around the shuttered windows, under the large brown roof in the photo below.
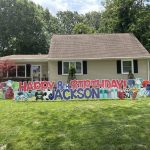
(99, 69)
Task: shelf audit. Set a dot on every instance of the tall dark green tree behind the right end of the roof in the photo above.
(127, 16)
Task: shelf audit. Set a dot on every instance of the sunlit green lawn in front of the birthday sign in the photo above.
(75, 125)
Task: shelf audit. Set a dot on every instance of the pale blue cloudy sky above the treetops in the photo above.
(81, 6)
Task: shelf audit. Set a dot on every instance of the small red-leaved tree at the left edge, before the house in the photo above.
(6, 66)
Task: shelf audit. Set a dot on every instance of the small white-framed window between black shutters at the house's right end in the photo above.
(127, 65)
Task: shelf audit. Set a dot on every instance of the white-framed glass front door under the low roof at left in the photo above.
(36, 72)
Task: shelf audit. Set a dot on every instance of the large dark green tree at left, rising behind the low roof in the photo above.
(24, 28)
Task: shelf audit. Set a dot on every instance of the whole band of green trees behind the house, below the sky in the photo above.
(26, 28)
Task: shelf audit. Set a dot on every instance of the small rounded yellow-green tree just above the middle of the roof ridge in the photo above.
(81, 28)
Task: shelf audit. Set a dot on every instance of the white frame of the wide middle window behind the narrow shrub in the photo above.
(74, 61)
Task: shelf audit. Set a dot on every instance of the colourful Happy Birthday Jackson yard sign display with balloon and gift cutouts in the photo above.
(77, 89)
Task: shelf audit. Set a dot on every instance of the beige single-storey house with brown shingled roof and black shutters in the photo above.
(95, 56)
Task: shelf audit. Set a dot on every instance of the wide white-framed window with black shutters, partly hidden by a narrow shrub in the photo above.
(78, 67)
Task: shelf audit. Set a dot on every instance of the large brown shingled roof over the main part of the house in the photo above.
(96, 46)
